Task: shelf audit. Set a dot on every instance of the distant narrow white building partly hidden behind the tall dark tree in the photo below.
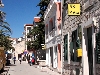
(27, 28)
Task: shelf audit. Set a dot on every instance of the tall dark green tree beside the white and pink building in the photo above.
(39, 31)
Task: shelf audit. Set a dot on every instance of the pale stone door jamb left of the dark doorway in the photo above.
(84, 52)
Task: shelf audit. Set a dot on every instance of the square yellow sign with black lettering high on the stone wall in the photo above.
(73, 9)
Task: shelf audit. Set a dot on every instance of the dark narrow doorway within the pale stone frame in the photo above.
(90, 52)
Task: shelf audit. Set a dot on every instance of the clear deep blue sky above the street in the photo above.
(18, 13)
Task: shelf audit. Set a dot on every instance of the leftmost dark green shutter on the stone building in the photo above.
(66, 47)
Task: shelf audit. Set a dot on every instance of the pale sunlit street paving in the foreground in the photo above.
(26, 69)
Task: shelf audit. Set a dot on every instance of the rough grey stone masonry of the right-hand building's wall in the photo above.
(70, 23)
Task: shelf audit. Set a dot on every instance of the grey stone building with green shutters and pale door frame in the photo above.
(81, 28)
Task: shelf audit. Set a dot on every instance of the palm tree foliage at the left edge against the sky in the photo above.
(5, 32)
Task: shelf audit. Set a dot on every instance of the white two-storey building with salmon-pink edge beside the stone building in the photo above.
(52, 20)
